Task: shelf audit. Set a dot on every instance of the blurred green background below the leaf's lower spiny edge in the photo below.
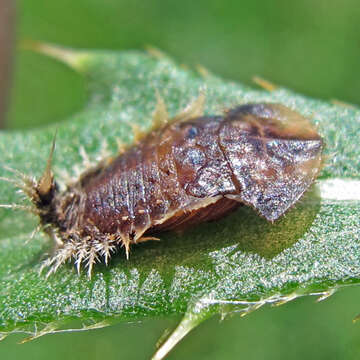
(302, 329)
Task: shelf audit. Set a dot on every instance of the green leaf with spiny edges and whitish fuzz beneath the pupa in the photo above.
(236, 264)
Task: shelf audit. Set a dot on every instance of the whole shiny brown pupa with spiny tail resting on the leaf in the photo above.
(186, 170)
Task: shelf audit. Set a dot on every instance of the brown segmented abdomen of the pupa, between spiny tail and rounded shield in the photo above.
(161, 183)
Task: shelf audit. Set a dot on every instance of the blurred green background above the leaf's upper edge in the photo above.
(310, 46)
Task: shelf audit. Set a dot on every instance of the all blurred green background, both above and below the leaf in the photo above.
(310, 46)
